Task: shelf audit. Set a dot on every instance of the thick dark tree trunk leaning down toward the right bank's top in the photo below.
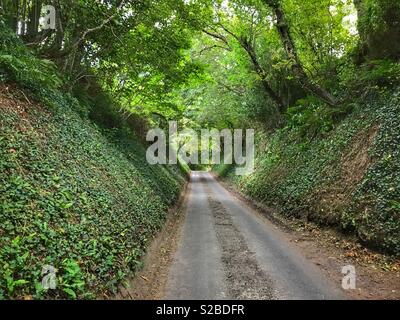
(291, 51)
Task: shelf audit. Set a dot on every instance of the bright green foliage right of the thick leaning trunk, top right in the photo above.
(322, 33)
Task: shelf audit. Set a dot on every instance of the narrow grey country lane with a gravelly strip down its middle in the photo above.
(226, 251)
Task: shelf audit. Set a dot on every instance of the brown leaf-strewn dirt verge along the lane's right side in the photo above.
(323, 247)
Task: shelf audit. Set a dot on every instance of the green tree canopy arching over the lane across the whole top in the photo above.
(187, 59)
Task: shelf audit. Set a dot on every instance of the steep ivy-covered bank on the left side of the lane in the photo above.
(74, 194)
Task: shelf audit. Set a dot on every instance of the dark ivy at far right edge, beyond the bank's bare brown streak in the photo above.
(375, 213)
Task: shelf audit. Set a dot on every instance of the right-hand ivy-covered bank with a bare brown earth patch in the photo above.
(348, 177)
